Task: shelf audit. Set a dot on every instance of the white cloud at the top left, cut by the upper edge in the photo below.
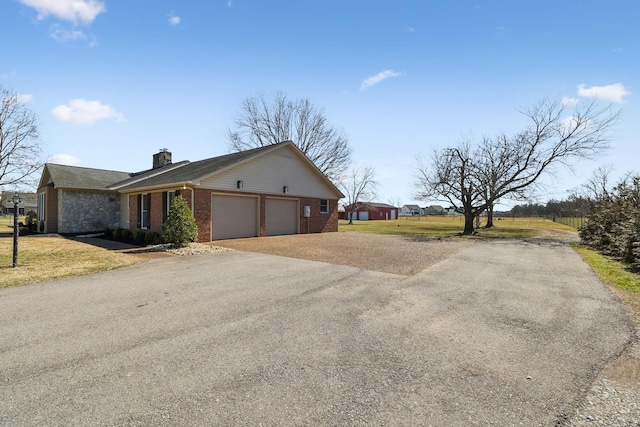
(76, 11)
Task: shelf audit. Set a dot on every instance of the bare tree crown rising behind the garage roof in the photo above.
(266, 121)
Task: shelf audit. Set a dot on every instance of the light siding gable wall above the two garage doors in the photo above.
(269, 174)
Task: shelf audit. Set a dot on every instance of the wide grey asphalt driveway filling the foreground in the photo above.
(501, 333)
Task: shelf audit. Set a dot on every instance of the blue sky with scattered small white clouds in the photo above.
(114, 81)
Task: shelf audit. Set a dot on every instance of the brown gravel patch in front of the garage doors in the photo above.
(405, 255)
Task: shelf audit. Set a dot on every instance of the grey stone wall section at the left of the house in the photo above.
(81, 212)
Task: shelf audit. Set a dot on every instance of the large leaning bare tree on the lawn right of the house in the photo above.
(473, 178)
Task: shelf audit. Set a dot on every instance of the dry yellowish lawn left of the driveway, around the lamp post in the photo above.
(42, 258)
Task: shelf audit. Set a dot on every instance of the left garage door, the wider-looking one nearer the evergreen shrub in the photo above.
(233, 217)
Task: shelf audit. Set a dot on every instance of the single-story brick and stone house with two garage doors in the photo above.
(265, 191)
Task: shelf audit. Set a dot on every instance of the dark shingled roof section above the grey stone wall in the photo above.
(64, 176)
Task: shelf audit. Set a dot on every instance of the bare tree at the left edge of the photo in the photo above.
(19, 145)
